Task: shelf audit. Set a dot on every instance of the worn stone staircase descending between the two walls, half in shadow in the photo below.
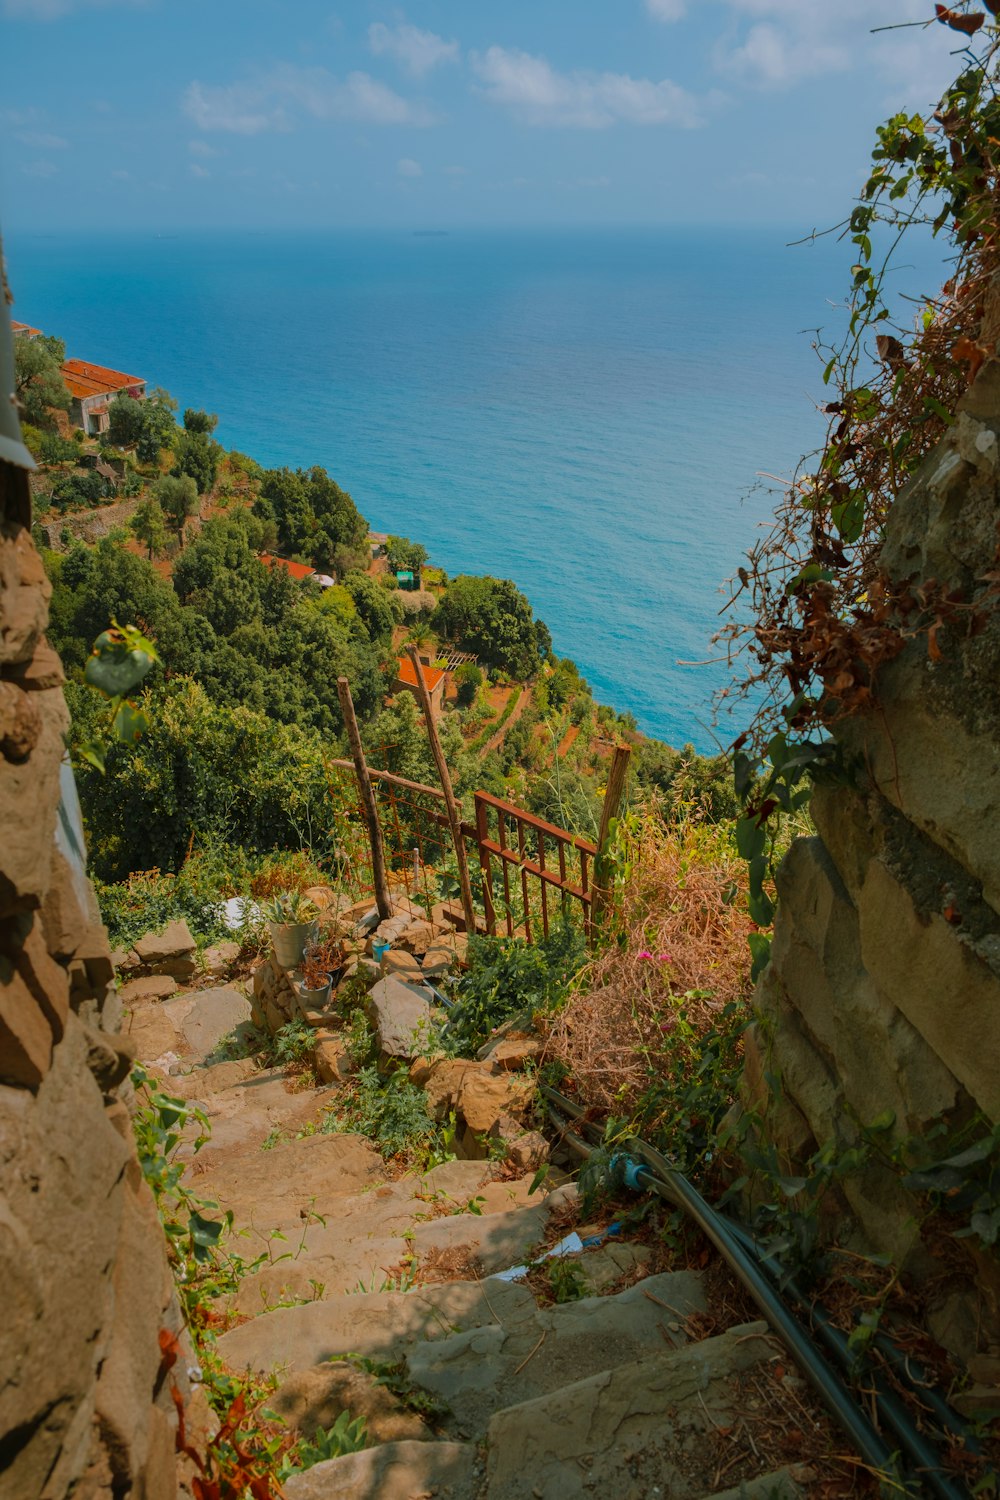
(389, 1297)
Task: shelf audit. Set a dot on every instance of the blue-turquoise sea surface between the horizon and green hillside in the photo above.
(582, 412)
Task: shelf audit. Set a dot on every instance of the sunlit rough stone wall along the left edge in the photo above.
(83, 1267)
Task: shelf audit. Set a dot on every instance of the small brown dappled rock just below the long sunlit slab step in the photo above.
(316, 1399)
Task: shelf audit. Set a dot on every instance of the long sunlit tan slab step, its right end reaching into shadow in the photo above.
(382, 1325)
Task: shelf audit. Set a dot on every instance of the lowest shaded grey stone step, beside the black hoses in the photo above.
(632, 1432)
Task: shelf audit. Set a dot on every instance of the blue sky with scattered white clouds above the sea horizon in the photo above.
(269, 115)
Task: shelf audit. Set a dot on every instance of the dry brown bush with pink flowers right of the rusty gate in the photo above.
(683, 940)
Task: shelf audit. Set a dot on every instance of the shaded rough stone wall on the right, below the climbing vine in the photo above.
(884, 989)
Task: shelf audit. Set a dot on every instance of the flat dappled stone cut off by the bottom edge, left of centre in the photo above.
(392, 1472)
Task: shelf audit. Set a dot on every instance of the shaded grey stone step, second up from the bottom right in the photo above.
(506, 1364)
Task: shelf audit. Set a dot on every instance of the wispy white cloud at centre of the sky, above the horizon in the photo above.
(539, 95)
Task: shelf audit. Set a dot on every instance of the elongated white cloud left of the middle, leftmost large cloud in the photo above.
(272, 101)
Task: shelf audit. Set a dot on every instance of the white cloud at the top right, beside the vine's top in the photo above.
(774, 44)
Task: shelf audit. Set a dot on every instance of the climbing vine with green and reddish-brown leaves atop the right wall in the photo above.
(824, 614)
